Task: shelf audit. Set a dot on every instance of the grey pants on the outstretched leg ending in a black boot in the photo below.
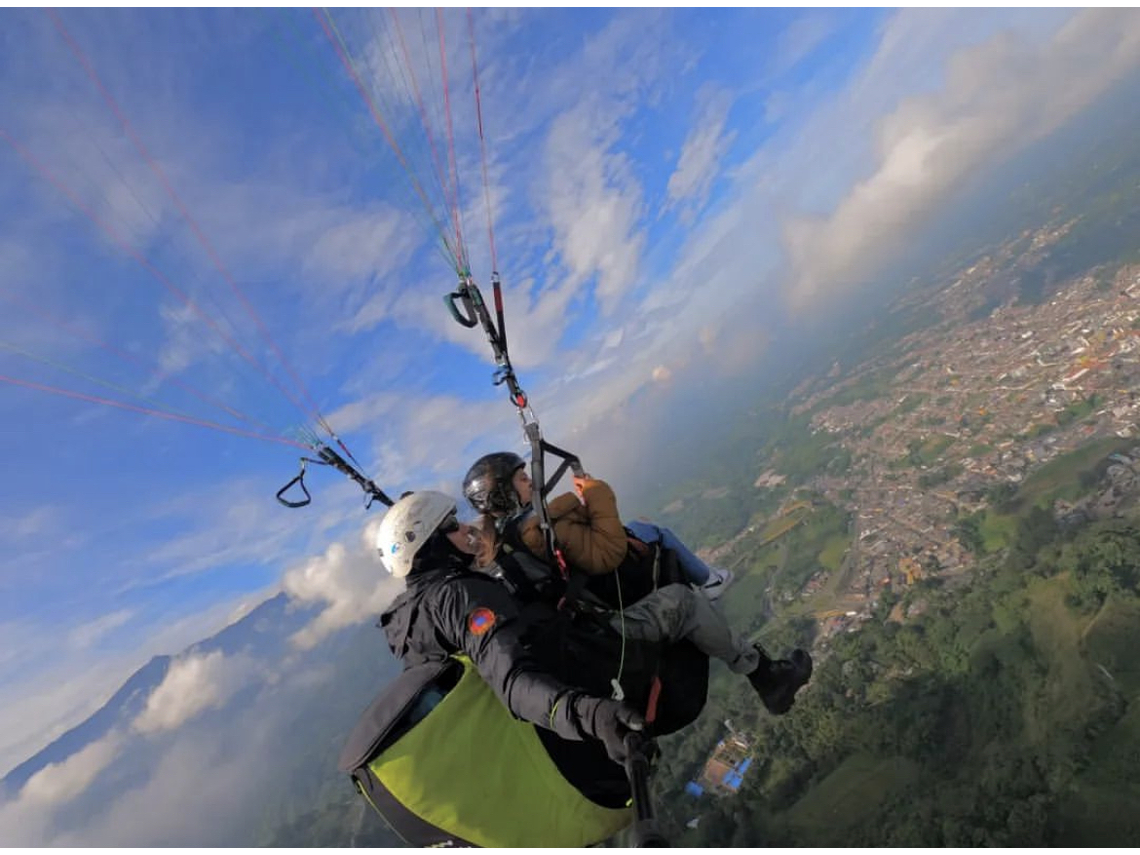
(675, 613)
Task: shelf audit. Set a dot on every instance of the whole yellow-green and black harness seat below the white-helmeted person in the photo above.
(446, 764)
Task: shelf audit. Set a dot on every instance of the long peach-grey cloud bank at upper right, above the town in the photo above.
(999, 96)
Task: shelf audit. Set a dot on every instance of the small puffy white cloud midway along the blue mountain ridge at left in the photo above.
(194, 685)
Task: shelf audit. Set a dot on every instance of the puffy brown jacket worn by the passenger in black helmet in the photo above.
(592, 535)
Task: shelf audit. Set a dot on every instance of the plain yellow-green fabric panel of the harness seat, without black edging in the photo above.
(475, 771)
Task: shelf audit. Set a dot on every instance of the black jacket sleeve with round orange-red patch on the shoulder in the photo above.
(481, 620)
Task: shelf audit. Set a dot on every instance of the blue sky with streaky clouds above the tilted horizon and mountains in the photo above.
(202, 216)
